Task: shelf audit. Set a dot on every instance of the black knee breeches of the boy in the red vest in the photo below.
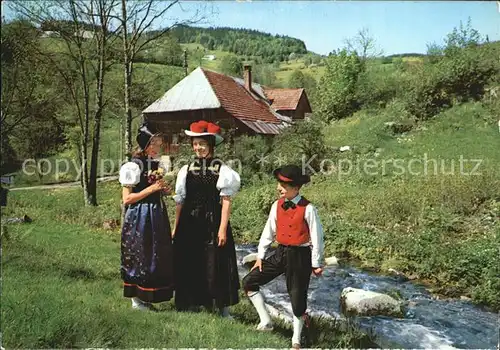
(295, 263)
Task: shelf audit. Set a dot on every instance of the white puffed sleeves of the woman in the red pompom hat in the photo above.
(228, 183)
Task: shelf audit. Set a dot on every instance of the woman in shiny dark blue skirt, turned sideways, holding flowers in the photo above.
(146, 244)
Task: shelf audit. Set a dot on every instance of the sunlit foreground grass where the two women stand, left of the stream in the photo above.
(61, 288)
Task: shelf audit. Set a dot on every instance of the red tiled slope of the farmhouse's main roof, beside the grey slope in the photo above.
(237, 101)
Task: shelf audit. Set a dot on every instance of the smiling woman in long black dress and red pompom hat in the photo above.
(205, 258)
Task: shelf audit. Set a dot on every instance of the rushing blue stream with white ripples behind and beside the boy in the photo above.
(428, 323)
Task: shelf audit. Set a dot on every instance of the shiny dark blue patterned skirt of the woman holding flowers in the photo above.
(146, 253)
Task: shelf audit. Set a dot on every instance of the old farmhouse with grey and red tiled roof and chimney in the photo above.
(237, 105)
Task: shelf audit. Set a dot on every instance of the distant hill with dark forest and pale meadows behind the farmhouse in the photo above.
(273, 57)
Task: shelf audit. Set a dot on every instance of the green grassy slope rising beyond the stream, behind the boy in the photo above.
(431, 218)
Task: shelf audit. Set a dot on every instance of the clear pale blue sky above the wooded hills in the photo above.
(396, 26)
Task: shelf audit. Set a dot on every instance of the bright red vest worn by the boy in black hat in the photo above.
(291, 225)
